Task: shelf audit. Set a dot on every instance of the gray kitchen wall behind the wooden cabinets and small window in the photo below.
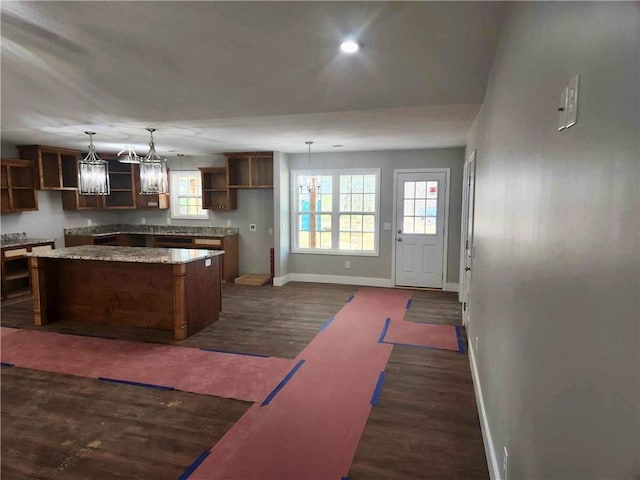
(254, 206)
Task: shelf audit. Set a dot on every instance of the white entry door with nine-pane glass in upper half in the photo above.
(420, 227)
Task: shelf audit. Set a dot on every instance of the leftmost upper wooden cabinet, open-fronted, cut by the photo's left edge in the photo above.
(18, 181)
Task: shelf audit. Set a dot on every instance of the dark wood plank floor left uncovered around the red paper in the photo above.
(56, 426)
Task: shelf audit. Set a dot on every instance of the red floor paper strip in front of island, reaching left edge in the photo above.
(192, 370)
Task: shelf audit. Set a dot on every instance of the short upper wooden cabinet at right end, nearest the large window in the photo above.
(250, 169)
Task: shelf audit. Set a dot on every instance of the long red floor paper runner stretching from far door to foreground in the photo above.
(311, 429)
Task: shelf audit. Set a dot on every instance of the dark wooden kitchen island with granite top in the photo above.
(165, 288)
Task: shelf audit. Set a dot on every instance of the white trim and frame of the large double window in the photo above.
(335, 211)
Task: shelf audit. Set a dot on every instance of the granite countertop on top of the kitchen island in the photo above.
(129, 254)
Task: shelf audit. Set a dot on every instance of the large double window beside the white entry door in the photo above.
(336, 212)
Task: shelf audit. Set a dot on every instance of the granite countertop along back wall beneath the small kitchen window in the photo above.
(153, 230)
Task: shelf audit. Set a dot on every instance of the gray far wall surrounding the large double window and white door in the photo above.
(387, 161)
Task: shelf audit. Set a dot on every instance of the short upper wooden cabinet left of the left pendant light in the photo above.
(57, 167)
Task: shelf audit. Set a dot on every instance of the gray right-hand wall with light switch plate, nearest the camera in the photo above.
(554, 295)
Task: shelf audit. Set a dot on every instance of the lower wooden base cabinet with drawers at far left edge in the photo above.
(16, 280)
